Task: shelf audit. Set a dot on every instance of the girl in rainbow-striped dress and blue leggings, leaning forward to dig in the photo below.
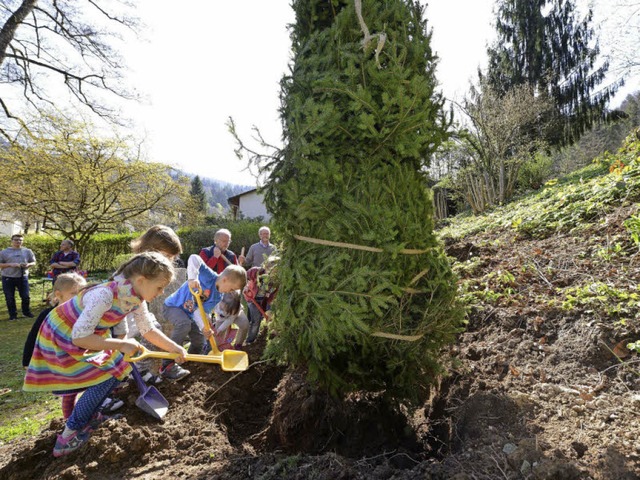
(75, 351)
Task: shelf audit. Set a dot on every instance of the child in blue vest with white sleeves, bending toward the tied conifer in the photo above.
(181, 309)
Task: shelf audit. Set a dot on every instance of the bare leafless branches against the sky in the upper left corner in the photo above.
(62, 40)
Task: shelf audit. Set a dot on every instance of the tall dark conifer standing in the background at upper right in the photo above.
(544, 44)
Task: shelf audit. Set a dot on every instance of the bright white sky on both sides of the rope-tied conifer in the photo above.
(227, 59)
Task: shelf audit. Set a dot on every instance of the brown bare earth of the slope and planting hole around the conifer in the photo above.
(537, 393)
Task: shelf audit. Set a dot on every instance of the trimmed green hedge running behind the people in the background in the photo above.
(101, 253)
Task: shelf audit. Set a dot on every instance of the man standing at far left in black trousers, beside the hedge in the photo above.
(15, 262)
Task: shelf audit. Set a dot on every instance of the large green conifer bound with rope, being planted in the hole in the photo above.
(361, 118)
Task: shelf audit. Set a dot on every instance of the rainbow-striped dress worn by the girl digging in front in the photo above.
(59, 365)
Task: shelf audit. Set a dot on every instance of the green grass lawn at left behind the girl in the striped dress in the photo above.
(21, 413)
